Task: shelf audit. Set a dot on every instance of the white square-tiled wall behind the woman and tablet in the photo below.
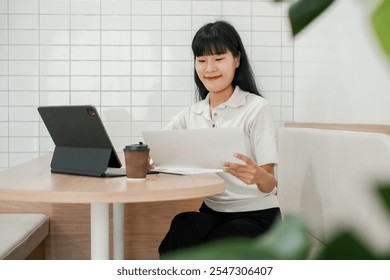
(131, 59)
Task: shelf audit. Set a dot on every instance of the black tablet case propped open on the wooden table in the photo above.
(83, 146)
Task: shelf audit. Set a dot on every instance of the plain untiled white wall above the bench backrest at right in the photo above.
(341, 74)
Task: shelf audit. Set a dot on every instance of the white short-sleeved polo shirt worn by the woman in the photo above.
(253, 114)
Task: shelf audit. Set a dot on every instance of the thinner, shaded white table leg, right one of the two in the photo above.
(118, 230)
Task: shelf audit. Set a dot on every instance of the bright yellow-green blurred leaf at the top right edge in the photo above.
(381, 22)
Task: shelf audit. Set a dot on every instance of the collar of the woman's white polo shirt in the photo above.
(237, 99)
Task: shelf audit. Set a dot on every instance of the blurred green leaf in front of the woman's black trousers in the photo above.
(287, 239)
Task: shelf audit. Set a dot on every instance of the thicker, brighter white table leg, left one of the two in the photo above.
(100, 239)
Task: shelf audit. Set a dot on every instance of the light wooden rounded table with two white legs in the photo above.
(34, 182)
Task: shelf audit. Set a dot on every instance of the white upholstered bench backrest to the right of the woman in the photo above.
(328, 177)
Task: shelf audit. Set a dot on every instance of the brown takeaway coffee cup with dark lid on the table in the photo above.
(137, 161)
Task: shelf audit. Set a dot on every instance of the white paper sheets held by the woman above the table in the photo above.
(194, 151)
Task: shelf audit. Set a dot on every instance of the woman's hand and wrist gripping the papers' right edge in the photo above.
(251, 173)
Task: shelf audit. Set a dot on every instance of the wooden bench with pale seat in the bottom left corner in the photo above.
(21, 235)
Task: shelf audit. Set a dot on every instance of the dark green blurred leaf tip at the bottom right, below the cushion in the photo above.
(346, 246)
